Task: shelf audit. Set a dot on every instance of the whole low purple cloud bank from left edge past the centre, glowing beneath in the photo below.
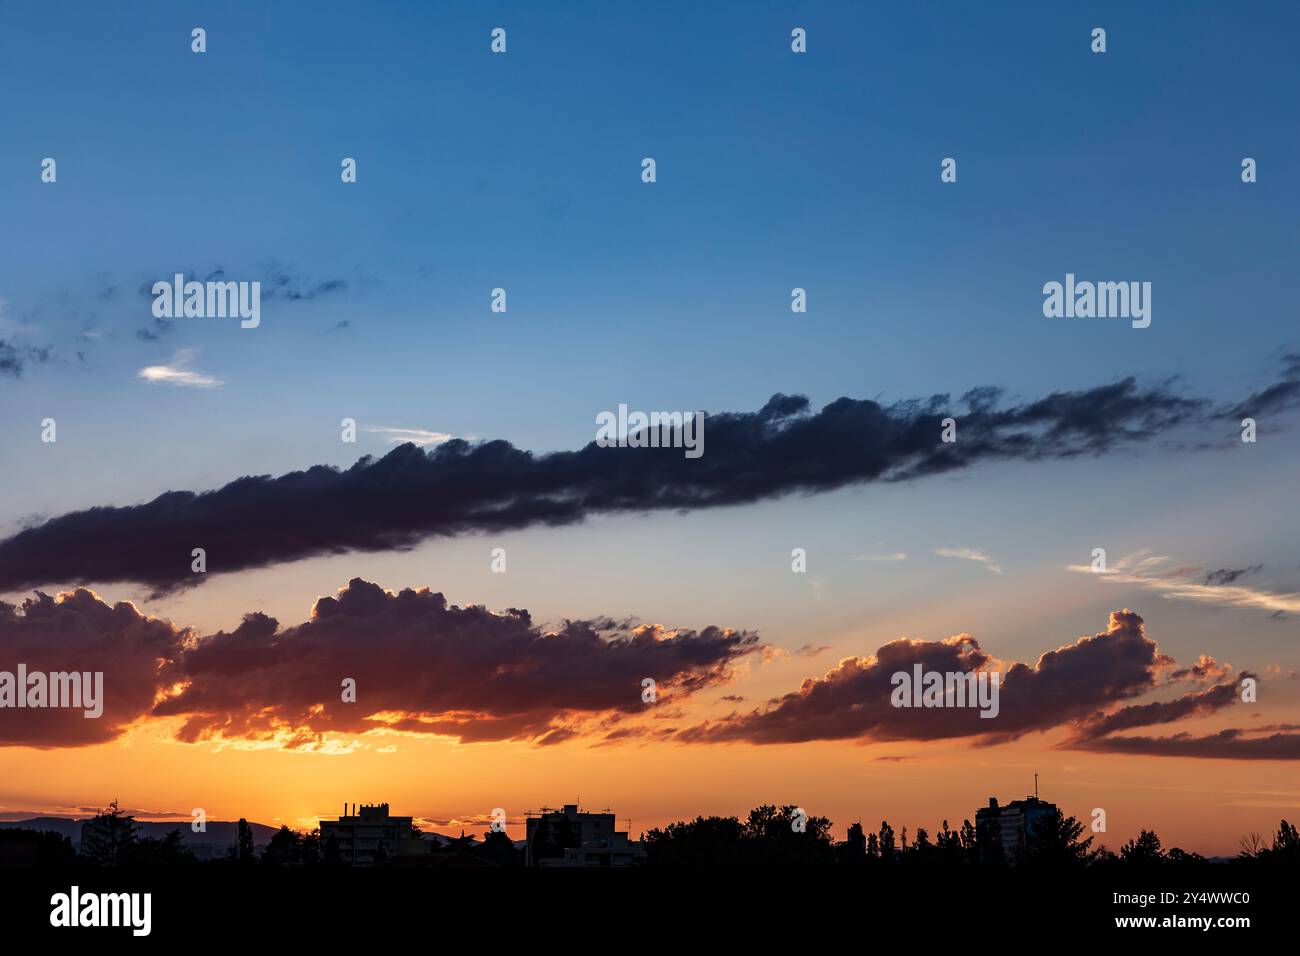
(421, 665)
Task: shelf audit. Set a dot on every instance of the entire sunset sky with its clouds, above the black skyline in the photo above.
(774, 171)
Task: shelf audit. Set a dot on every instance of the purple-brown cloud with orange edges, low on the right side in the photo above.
(1076, 687)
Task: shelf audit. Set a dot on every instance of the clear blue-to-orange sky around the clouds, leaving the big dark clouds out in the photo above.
(820, 171)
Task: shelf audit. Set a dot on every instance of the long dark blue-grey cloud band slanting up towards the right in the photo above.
(457, 488)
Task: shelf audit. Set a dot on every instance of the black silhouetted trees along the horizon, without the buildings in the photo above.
(769, 837)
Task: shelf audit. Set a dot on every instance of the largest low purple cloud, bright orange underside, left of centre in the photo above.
(424, 667)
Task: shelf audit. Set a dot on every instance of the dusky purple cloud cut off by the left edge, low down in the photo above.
(80, 633)
